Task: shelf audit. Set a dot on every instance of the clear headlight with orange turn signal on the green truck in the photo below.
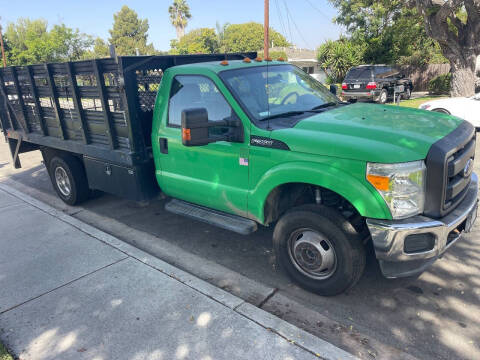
(401, 185)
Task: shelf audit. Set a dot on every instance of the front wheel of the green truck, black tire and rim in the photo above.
(335, 233)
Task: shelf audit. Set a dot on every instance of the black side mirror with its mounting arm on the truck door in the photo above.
(195, 128)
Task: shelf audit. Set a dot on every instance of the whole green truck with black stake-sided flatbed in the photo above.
(239, 143)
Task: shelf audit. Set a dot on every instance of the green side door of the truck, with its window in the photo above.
(214, 175)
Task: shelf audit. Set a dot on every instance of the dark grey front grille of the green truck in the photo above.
(446, 162)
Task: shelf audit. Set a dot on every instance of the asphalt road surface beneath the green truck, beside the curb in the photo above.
(435, 316)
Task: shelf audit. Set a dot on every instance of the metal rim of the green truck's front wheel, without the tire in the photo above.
(312, 254)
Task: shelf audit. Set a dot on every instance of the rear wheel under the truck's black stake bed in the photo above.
(69, 179)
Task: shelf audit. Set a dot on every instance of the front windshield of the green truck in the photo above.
(267, 91)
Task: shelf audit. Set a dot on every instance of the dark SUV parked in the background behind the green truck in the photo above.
(374, 82)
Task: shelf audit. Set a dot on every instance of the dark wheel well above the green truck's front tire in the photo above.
(287, 196)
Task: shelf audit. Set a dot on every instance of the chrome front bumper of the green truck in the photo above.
(389, 236)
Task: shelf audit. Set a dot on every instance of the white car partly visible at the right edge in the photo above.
(465, 108)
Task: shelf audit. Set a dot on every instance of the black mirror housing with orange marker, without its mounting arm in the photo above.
(195, 127)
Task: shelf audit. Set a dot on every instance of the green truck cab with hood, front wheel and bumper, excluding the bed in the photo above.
(264, 141)
